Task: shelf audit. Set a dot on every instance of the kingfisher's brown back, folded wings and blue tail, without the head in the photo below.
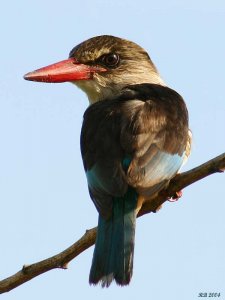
(131, 146)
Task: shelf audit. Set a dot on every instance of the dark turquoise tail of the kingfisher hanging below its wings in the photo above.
(114, 247)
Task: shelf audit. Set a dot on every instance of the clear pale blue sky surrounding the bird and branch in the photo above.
(45, 205)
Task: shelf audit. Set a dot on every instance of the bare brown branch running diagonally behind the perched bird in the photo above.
(62, 259)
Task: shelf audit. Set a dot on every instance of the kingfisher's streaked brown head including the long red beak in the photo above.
(101, 67)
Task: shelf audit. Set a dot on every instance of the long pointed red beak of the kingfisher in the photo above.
(66, 70)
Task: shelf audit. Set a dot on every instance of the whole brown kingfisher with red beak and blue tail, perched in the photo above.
(134, 139)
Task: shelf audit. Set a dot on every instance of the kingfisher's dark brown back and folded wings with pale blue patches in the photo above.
(137, 139)
